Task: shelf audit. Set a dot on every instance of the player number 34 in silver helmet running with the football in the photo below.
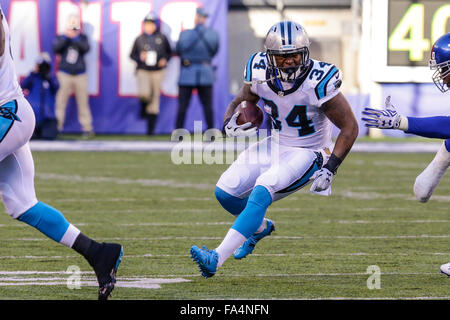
(302, 97)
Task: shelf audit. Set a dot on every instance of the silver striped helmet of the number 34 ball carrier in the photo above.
(286, 38)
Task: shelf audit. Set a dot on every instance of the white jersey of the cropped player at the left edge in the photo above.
(9, 86)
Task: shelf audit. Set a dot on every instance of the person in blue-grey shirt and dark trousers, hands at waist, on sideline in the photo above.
(196, 48)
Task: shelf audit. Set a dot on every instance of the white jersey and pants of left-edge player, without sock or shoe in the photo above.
(16, 128)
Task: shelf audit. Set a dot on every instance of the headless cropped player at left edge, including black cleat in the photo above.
(17, 123)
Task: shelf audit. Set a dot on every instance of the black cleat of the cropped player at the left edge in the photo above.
(106, 263)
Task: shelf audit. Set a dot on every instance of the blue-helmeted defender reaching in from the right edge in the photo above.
(430, 127)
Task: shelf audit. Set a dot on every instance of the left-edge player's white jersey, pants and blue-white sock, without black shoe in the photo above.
(17, 122)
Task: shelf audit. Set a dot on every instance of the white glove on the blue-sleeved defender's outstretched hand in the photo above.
(387, 118)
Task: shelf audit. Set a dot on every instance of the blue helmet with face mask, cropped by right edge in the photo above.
(440, 61)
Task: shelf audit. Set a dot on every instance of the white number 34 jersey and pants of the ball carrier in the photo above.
(300, 144)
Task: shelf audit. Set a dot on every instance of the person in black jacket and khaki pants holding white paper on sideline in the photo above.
(151, 51)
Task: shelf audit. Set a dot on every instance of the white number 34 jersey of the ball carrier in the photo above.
(295, 110)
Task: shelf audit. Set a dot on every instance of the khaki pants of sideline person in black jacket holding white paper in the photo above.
(149, 88)
